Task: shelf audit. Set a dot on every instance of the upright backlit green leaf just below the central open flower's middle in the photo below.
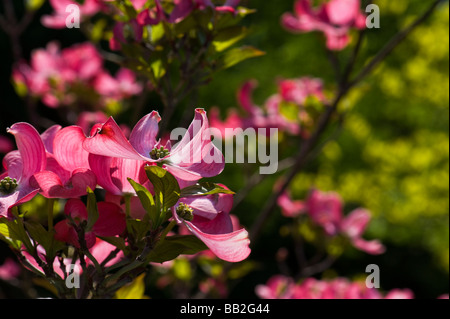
(167, 190)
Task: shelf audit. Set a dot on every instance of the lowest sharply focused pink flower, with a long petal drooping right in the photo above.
(207, 217)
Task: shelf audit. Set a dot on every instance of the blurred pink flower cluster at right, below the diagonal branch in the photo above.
(326, 210)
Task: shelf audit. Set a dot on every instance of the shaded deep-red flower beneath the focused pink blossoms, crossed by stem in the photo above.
(111, 222)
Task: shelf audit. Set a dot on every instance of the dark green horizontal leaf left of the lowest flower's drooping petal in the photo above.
(174, 246)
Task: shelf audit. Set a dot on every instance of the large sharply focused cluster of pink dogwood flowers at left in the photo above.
(63, 163)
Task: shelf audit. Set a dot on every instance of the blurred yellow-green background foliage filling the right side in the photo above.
(391, 154)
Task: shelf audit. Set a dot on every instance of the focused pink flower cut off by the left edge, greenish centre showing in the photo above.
(20, 166)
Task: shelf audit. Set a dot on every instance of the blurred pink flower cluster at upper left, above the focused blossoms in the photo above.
(73, 76)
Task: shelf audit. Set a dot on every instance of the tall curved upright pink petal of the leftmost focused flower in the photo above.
(31, 148)
